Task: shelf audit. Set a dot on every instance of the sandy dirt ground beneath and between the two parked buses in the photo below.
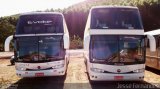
(76, 78)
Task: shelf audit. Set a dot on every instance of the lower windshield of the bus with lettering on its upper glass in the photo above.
(39, 48)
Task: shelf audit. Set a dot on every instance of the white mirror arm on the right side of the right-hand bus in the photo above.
(152, 42)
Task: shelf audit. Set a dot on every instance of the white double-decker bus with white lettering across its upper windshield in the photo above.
(41, 42)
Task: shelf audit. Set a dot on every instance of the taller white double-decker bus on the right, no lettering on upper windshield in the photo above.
(114, 44)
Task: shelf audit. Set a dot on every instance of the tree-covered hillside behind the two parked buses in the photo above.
(76, 17)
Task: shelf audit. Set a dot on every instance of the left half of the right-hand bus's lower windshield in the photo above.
(103, 47)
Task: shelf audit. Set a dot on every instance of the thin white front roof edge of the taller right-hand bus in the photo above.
(114, 6)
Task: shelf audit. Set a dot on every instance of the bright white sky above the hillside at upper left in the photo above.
(11, 7)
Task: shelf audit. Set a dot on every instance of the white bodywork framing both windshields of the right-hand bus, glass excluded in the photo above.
(112, 69)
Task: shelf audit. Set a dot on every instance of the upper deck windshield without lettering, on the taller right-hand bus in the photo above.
(115, 18)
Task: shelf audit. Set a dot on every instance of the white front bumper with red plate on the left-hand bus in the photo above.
(41, 73)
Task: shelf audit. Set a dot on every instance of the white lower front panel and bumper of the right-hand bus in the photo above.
(113, 69)
